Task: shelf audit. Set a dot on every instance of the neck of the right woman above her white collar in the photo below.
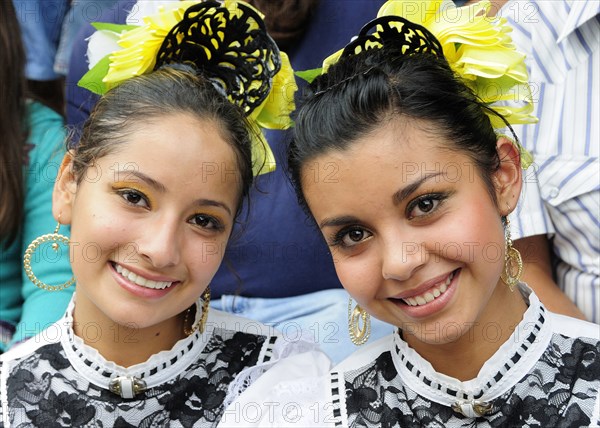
(463, 358)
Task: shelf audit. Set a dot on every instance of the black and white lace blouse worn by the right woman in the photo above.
(546, 375)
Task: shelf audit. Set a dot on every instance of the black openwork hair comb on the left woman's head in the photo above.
(242, 58)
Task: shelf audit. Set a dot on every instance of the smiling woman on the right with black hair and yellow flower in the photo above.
(416, 218)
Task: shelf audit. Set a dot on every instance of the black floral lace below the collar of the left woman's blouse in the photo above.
(45, 390)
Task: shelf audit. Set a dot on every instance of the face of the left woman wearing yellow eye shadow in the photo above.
(150, 221)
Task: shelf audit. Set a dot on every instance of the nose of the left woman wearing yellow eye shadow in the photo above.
(160, 244)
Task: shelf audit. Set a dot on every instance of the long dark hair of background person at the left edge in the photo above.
(13, 124)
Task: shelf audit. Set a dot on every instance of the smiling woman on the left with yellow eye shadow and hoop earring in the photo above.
(151, 193)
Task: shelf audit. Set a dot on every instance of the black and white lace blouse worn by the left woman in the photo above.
(55, 380)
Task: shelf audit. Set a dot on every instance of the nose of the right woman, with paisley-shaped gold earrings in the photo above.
(402, 258)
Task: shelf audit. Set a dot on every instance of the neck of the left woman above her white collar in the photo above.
(122, 344)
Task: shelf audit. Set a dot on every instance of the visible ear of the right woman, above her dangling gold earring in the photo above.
(508, 178)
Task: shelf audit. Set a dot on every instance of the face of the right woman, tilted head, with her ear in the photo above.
(415, 235)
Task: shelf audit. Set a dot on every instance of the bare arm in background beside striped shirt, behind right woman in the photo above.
(537, 273)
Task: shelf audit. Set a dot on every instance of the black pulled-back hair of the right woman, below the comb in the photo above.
(362, 91)
